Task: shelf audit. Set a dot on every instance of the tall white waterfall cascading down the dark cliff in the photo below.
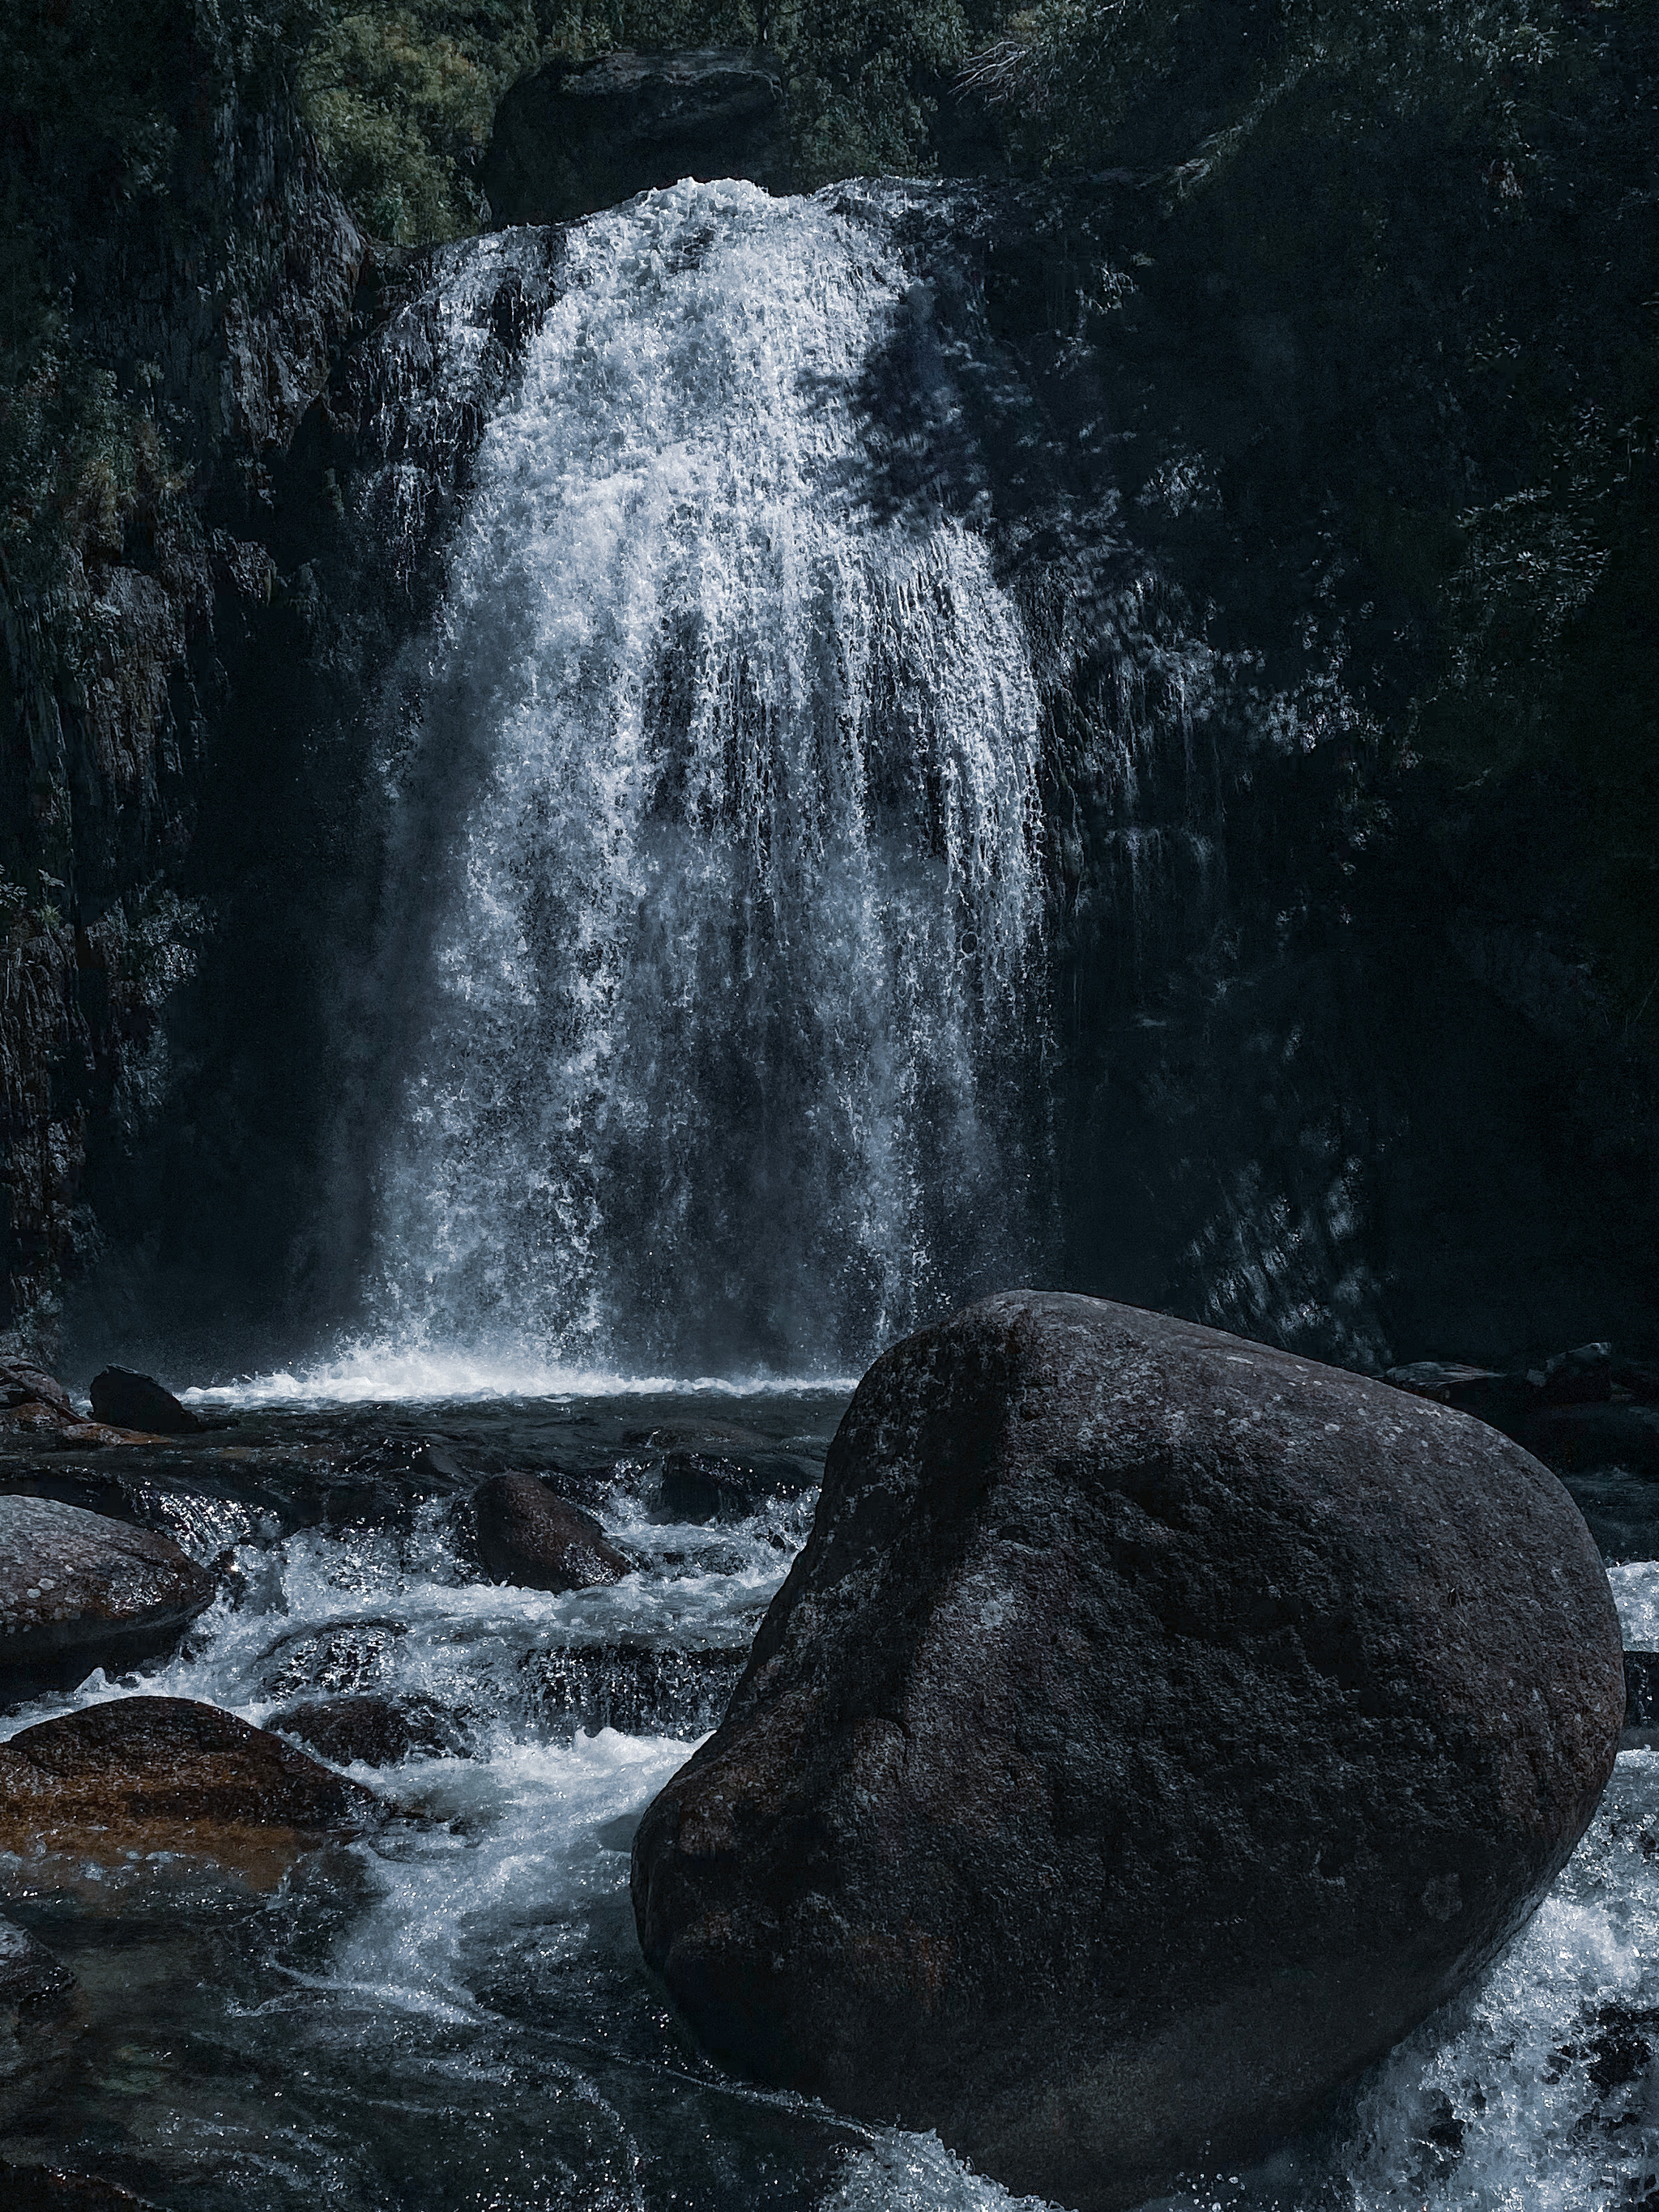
(729, 764)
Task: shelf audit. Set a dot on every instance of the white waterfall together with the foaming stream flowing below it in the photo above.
(707, 1054)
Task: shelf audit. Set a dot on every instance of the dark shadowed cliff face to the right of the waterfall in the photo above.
(1311, 492)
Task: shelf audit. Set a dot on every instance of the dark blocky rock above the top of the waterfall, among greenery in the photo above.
(572, 140)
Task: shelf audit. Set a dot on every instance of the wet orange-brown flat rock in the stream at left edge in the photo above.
(169, 1775)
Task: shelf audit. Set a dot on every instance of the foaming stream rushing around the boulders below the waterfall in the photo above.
(455, 2014)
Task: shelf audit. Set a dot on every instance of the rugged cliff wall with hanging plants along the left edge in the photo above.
(182, 273)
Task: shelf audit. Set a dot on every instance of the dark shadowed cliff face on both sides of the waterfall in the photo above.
(1342, 1063)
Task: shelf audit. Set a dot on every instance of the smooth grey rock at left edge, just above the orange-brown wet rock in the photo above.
(81, 1592)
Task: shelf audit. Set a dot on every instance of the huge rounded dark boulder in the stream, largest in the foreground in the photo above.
(1151, 1733)
